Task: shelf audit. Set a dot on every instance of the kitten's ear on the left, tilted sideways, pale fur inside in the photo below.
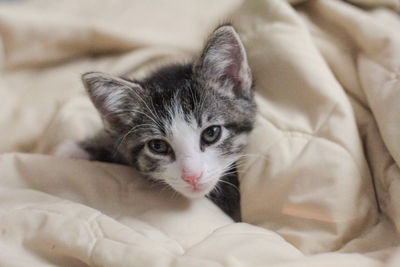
(113, 97)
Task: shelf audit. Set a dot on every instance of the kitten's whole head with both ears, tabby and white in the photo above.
(185, 124)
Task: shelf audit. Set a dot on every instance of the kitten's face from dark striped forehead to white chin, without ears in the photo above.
(201, 136)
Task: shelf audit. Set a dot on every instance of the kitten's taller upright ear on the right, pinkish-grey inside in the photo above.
(223, 63)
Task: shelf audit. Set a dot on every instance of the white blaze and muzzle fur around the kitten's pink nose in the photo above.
(184, 138)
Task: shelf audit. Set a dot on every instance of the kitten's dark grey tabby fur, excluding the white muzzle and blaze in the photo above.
(215, 89)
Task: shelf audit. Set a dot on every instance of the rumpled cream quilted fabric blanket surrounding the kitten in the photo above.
(320, 182)
